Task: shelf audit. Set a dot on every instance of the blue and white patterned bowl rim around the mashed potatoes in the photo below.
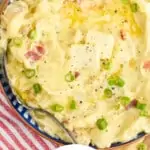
(26, 117)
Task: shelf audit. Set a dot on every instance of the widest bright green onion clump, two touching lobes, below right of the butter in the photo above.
(115, 80)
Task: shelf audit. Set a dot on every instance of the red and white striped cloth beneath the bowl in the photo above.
(15, 135)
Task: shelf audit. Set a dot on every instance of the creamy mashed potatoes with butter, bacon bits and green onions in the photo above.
(85, 61)
